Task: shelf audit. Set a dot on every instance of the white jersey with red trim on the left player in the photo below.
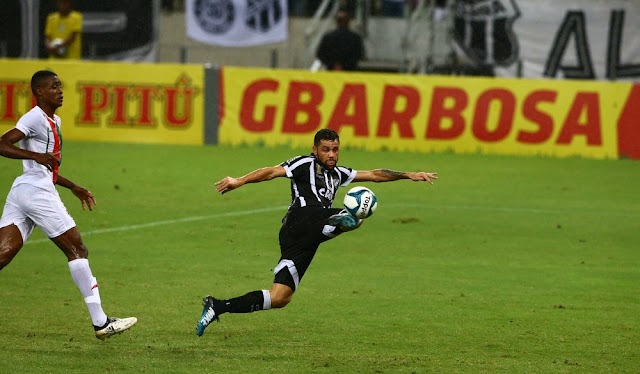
(42, 135)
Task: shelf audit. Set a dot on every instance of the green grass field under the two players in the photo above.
(507, 264)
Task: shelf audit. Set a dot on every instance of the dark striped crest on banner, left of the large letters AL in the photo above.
(484, 30)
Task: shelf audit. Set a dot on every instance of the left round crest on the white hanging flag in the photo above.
(214, 16)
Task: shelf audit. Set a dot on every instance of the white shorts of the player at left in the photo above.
(28, 206)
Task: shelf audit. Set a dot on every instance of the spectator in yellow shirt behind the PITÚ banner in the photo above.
(63, 32)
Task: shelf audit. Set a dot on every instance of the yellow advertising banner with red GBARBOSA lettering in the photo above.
(423, 113)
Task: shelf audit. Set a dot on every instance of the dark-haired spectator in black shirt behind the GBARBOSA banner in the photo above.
(342, 48)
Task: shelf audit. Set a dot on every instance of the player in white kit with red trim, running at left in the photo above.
(34, 201)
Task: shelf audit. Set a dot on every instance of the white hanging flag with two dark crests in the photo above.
(236, 23)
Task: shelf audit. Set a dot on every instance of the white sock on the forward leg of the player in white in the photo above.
(81, 274)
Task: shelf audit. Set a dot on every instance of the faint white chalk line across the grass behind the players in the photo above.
(283, 208)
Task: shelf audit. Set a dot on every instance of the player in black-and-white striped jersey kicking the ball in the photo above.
(309, 221)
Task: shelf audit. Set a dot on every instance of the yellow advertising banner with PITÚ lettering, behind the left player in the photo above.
(113, 101)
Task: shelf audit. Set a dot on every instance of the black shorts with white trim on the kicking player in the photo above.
(302, 231)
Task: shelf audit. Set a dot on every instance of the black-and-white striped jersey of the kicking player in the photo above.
(312, 184)
